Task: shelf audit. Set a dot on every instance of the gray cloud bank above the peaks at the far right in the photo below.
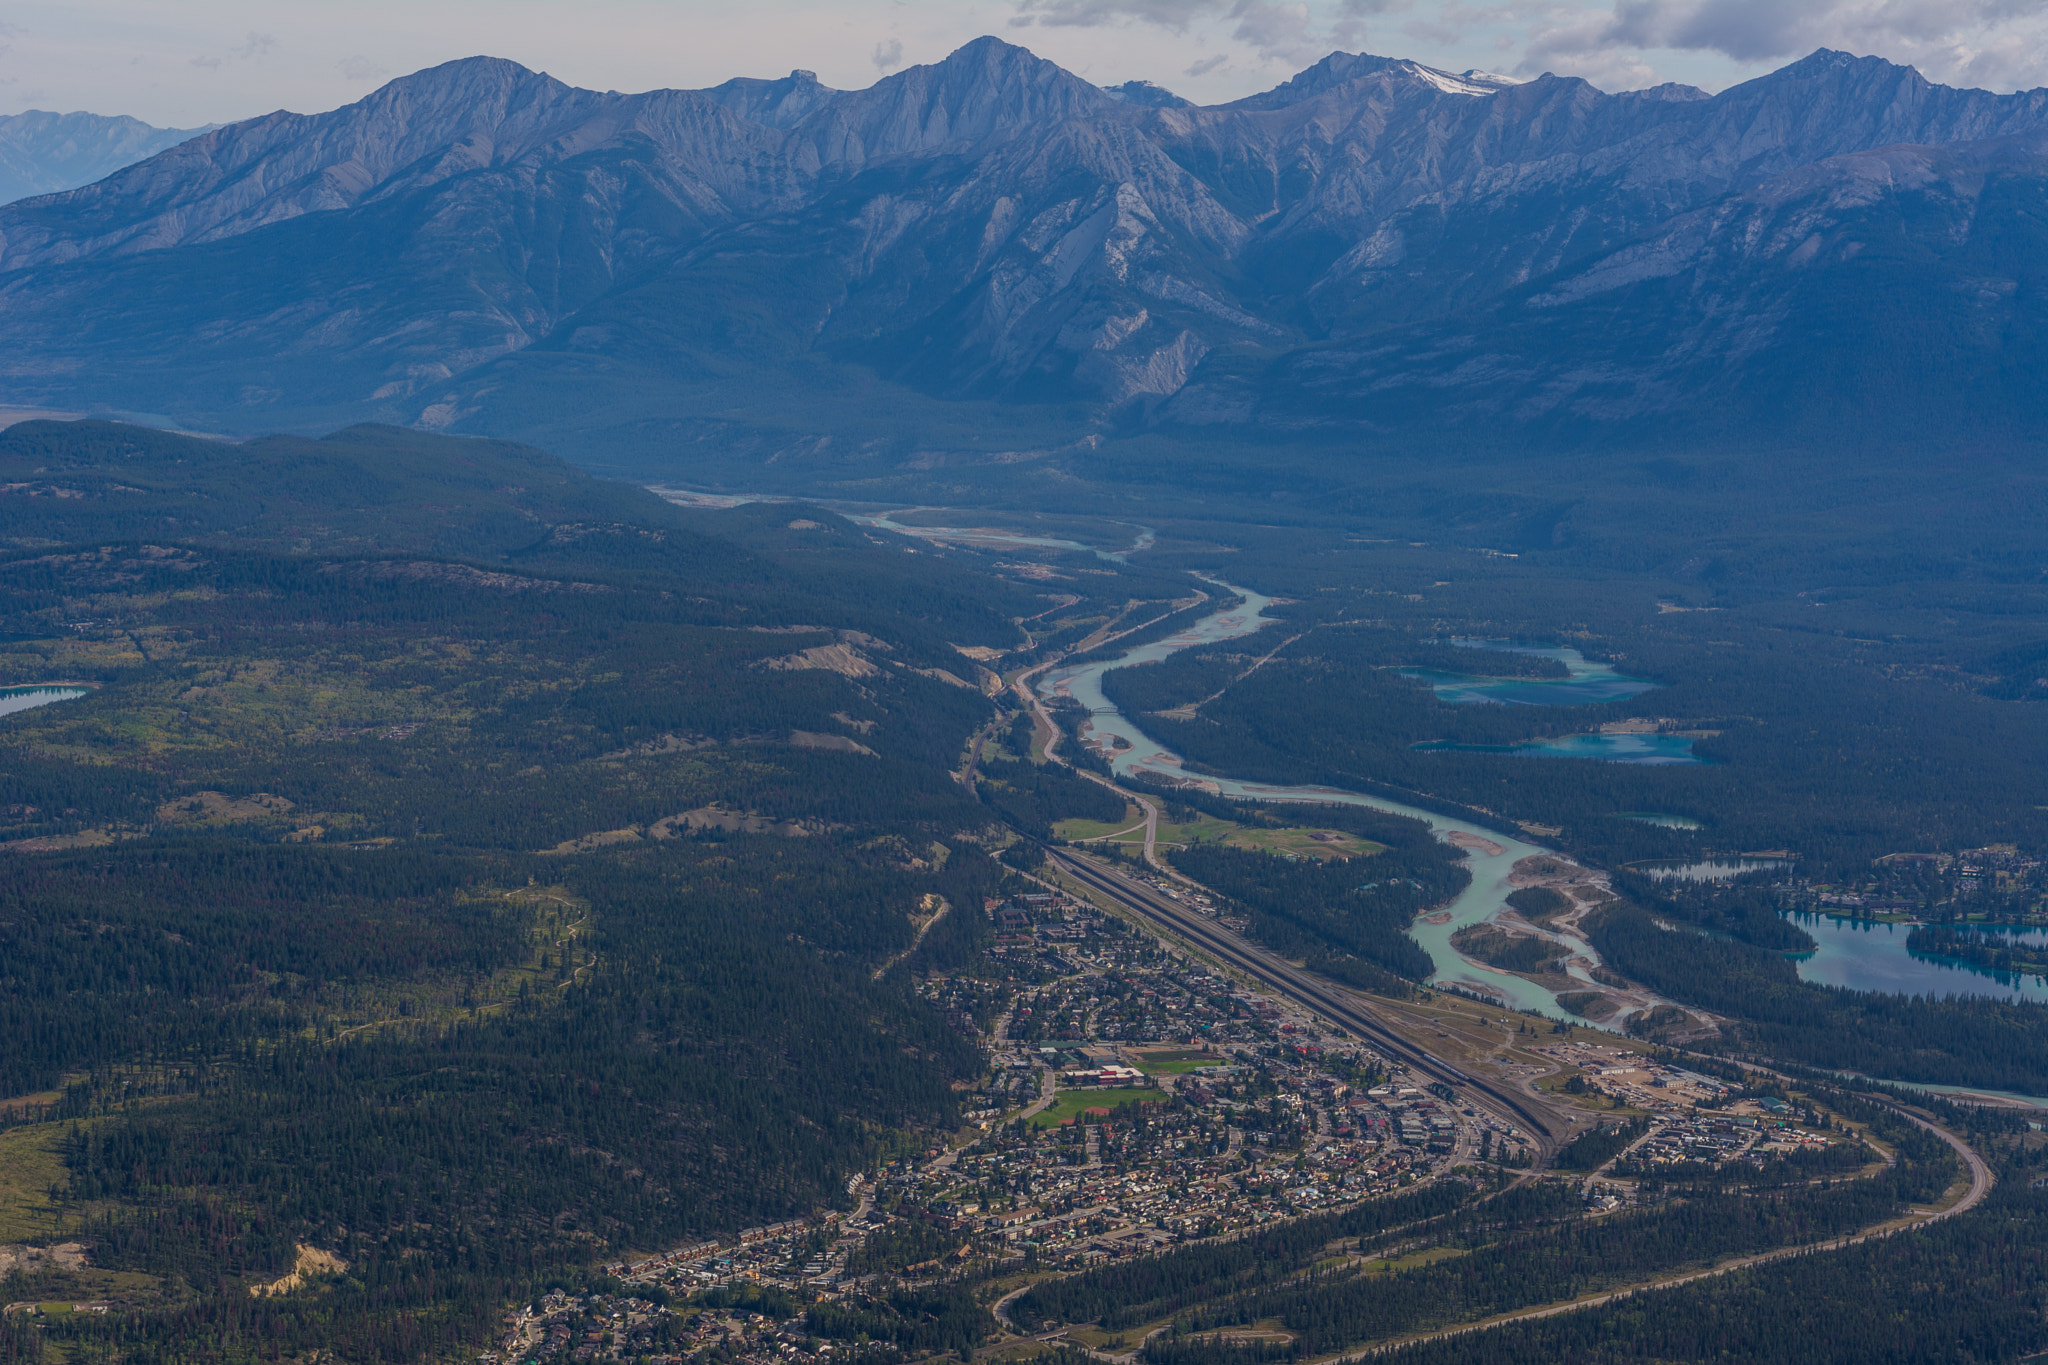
(1965, 42)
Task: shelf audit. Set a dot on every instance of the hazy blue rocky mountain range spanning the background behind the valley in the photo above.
(994, 261)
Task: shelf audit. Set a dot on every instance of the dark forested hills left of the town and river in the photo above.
(392, 889)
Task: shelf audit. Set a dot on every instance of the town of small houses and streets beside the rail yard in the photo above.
(1144, 1100)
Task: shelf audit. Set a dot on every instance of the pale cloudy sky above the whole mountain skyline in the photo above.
(191, 62)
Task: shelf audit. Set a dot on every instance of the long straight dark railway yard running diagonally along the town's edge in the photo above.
(1297, 985)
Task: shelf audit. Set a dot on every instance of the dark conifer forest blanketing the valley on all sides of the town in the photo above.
(486, 873)
